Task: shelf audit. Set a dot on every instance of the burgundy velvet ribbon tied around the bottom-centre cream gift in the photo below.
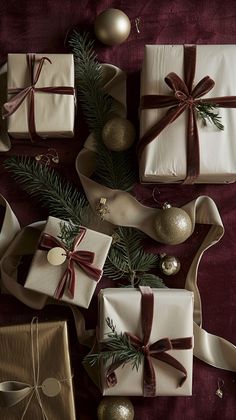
(157, 350)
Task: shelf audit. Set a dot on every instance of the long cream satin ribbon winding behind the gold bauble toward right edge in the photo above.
(125, 210)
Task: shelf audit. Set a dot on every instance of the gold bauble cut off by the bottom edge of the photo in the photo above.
(115, 408)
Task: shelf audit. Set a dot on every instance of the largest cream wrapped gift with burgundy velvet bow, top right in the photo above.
(175, 145)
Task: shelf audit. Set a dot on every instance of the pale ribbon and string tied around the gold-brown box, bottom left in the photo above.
(12, 392)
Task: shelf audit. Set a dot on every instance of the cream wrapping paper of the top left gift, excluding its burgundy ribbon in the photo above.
(54, 113)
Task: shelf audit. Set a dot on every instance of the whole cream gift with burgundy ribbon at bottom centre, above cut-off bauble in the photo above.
(159, 325)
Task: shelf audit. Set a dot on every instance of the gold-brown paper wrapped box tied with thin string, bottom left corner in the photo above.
(53, 387)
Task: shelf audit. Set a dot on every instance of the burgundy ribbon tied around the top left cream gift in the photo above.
(20, 94)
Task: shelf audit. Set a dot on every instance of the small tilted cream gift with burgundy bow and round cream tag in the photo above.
(70, 274)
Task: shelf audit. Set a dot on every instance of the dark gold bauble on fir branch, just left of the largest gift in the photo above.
(118, 134)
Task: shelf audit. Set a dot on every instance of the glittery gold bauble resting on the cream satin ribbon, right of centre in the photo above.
(172, 225)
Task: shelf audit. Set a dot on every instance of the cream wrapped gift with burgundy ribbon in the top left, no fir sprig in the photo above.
(41, 97)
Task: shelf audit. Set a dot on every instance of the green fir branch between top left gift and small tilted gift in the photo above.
(44, 184)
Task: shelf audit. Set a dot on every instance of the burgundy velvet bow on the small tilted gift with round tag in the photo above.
(83, 259)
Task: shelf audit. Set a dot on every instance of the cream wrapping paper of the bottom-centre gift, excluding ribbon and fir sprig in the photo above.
(172, 318)
